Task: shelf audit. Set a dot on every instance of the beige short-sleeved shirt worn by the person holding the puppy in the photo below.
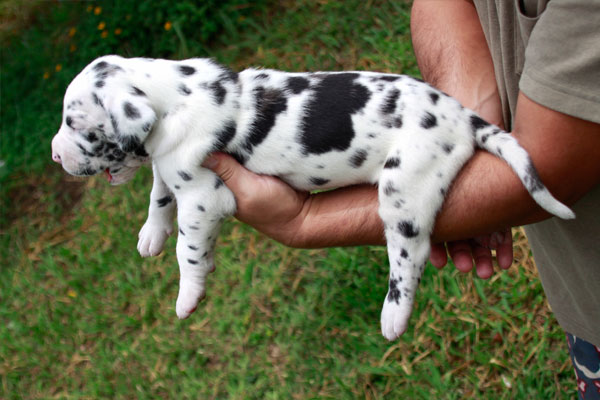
(550, 50)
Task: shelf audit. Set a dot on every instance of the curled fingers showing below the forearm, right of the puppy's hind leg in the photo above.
(464, 252)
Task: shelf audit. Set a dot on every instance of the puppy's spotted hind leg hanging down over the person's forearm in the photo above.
(411, 191)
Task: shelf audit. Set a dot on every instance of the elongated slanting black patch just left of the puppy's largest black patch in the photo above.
(269, 104)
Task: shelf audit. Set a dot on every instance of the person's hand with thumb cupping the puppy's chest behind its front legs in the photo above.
(264, 202)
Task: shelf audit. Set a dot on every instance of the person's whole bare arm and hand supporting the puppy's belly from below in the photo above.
(475, 205)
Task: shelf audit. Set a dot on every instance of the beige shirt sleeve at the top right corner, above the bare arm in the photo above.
(562, 59)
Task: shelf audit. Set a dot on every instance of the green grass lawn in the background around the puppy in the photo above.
(82, 315)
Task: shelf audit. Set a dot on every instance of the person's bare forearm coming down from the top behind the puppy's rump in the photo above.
(456, 59)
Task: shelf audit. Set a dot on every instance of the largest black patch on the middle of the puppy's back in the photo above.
(327, 124)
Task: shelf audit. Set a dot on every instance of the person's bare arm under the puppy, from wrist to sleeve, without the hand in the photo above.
(486, 196)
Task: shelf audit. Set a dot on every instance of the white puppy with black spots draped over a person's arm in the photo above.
(313, 130)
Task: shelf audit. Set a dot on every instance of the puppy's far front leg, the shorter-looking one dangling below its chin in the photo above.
(159, 225)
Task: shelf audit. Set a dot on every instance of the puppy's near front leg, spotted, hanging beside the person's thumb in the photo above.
(203, 202)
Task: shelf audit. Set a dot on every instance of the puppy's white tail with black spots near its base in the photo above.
(504, 145)
